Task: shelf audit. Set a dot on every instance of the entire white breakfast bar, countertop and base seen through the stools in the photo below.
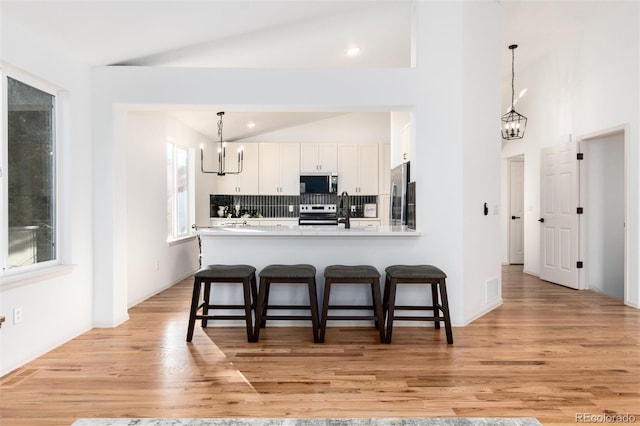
(320, 246)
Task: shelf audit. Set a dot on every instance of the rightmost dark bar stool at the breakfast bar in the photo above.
(417, 274)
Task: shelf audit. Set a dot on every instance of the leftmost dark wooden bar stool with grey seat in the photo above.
(211, 274)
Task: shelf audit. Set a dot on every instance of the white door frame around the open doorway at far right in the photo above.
(583, 194)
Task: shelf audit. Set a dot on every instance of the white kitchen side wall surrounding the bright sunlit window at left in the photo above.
(153, 263)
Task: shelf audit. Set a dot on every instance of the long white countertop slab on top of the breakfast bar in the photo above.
(306, 231)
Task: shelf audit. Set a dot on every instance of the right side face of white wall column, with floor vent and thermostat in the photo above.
(481, 163)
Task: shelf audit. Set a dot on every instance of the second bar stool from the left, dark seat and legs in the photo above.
(272, 274)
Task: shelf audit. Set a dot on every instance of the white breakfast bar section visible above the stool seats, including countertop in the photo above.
(320, 246)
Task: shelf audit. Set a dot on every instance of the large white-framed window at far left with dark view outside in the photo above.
(28, 228)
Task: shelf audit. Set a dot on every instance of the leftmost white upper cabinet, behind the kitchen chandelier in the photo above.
(245, 182)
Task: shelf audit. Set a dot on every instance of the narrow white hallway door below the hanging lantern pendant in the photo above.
(516, 212)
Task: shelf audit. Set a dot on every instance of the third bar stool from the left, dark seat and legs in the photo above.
(361, 274)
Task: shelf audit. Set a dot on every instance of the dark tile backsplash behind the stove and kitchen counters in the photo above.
(278, 205)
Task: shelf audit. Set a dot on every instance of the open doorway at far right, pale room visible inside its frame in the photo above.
(603, 197)
